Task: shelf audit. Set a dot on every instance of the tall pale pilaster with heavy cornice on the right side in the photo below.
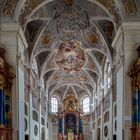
(125, 44)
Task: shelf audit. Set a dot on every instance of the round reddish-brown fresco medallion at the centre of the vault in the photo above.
(70, 56)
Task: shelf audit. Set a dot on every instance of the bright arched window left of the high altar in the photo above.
(54, 105)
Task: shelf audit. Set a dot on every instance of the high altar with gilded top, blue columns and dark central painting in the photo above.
(70, 125)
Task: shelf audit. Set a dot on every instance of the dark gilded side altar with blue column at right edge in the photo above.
(135, 87)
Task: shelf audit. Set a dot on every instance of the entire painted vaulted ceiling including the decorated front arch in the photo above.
(70, 39)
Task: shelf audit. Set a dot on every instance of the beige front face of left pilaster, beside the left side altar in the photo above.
(8, 38)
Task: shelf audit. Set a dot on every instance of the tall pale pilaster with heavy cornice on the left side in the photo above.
(14, 42)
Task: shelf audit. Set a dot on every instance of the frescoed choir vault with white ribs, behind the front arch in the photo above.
(71, 40)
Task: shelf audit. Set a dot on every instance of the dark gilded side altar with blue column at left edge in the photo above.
(6, 83)
